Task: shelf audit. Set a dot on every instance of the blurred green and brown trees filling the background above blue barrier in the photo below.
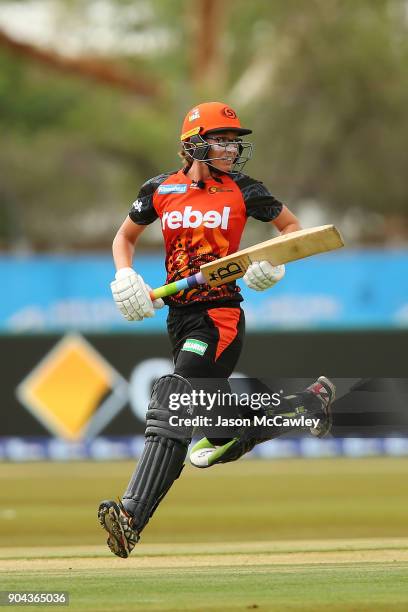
(322, 82)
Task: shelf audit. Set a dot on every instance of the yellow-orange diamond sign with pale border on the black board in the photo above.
(73, 391)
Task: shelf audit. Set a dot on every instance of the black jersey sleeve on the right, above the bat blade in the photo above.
(259, 202)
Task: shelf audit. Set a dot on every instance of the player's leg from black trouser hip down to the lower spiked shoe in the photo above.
(166, 446)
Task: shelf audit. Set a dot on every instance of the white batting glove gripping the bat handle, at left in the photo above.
(131, 295)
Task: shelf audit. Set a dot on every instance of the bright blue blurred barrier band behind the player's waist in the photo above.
(347, 290)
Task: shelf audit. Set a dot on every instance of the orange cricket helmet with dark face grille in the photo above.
(207, 119)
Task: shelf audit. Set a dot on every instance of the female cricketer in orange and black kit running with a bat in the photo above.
(202, 208)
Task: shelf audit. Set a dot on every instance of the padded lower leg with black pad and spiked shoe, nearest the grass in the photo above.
(159, 466)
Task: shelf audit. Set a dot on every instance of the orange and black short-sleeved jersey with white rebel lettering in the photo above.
(201, 223)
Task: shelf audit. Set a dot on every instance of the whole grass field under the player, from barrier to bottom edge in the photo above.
(268, 535)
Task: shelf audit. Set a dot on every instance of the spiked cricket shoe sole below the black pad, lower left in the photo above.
(118, 523)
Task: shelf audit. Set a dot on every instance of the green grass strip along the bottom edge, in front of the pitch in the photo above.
(360, 587)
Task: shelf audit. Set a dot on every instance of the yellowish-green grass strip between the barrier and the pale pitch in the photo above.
(55, 504)
